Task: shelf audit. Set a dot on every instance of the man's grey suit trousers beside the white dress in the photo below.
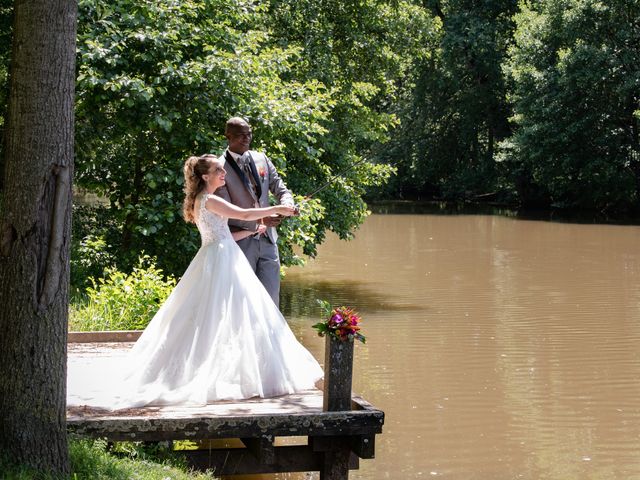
(263, 257)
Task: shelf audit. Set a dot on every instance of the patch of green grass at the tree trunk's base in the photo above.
(90, 460)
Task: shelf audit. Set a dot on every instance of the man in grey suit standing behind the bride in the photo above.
(250, 177)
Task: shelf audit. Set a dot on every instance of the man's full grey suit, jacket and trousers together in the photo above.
(262, 250)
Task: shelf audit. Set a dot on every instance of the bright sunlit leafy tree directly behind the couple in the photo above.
(156, 83)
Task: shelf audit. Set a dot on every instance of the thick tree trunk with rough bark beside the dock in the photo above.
(35, 231)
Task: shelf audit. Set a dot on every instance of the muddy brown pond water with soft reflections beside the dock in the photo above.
(499, 348)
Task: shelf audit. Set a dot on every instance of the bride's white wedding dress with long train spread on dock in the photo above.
(218, 336)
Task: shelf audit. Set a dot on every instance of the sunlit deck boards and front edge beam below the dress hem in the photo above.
(289, 415)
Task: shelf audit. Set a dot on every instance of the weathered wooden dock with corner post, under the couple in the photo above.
(290, 433)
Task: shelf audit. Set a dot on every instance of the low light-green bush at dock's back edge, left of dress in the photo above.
(122, 302)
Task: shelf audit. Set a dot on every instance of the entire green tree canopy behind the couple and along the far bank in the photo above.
(529, 103)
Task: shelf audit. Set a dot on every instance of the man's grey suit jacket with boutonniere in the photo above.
(237, 192)
